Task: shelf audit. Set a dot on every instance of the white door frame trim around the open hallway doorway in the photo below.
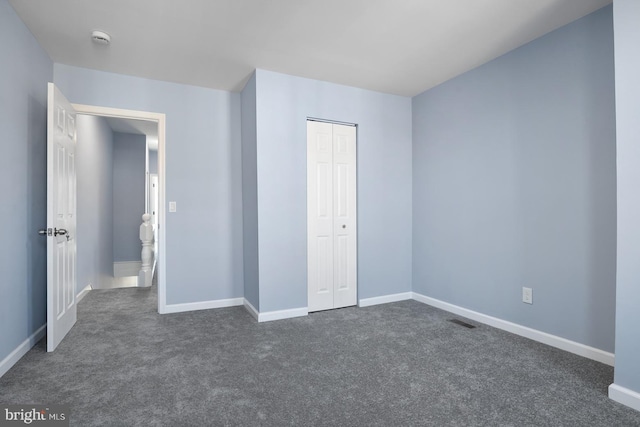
(159, 118)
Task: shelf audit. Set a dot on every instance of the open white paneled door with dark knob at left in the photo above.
(61, 217)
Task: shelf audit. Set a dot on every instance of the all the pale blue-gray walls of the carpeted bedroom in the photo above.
(512, 183)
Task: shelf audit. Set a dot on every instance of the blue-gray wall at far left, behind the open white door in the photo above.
(24, 74)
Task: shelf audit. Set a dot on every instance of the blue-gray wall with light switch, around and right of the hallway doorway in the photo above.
(203, 175)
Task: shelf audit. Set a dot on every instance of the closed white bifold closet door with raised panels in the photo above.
(331, 216)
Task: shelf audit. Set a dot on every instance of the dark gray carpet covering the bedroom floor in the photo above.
(399, 364)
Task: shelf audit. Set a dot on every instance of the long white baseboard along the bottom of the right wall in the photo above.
(543, 337)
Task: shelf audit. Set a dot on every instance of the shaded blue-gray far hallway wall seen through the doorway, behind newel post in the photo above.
(129, 158)
